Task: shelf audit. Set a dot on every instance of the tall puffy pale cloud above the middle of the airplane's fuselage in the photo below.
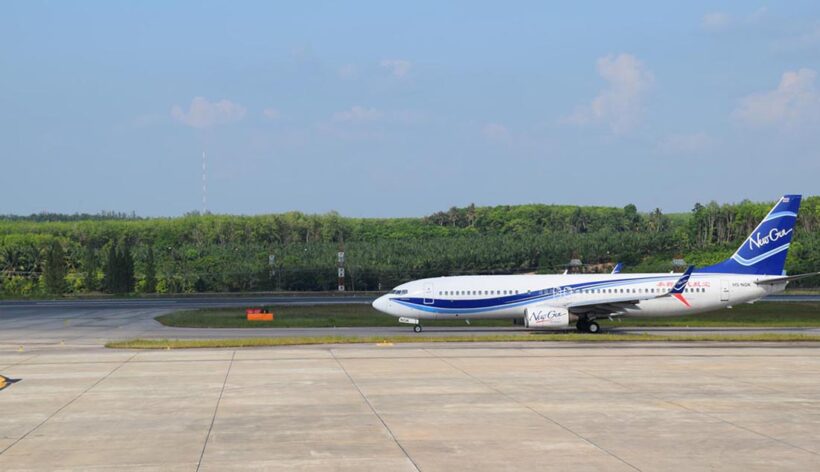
(620, 104)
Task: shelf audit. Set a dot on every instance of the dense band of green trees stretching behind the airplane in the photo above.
(118, 253)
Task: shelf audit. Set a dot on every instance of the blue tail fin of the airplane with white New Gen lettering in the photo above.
(764, 251)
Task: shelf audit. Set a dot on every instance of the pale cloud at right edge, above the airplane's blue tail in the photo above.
(794, 102)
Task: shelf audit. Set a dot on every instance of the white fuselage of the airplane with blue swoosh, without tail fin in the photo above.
(508, 296)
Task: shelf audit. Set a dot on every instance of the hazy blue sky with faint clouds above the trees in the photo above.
(381, 109)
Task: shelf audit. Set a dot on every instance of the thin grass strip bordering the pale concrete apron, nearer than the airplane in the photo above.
(557, 337)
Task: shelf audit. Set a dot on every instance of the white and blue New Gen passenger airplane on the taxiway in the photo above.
(556, 301)
